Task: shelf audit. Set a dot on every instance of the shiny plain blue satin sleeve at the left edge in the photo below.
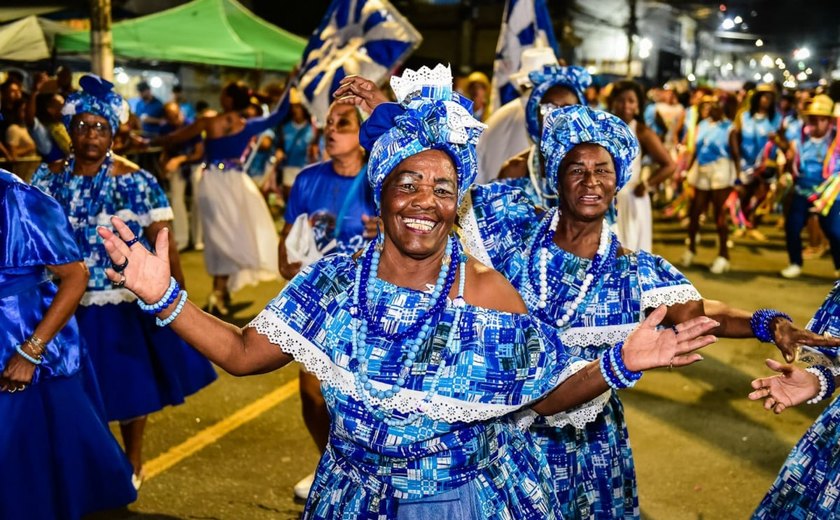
(34, 229)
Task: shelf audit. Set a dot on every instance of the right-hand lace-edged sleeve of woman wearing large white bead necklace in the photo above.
(662, 284)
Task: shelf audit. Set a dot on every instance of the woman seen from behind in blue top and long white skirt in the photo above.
(240, 239)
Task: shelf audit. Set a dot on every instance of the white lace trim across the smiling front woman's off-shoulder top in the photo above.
(317, 362)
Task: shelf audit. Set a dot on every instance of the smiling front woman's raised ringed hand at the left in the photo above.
(147, 274)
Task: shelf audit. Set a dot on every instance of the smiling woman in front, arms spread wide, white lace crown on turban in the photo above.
(420, 350)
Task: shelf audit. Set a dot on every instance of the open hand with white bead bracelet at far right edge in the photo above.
(793, 387)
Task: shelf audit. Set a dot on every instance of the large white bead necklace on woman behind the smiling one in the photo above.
(606, 250)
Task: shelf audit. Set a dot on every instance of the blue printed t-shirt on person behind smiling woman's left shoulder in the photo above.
(322, 193)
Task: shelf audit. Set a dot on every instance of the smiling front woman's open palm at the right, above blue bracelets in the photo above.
(648, 347)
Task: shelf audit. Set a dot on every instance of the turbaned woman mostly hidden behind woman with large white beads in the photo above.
(554, 86)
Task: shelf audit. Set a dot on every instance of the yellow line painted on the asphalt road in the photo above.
(213, 433)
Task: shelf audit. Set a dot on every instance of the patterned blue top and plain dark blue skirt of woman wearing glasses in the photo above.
(140, 367)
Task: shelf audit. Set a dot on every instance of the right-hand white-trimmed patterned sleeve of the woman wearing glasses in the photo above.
(140, 198)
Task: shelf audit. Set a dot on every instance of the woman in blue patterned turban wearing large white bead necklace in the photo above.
(594, 293)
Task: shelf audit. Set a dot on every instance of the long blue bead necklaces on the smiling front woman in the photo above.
(364, 324)
